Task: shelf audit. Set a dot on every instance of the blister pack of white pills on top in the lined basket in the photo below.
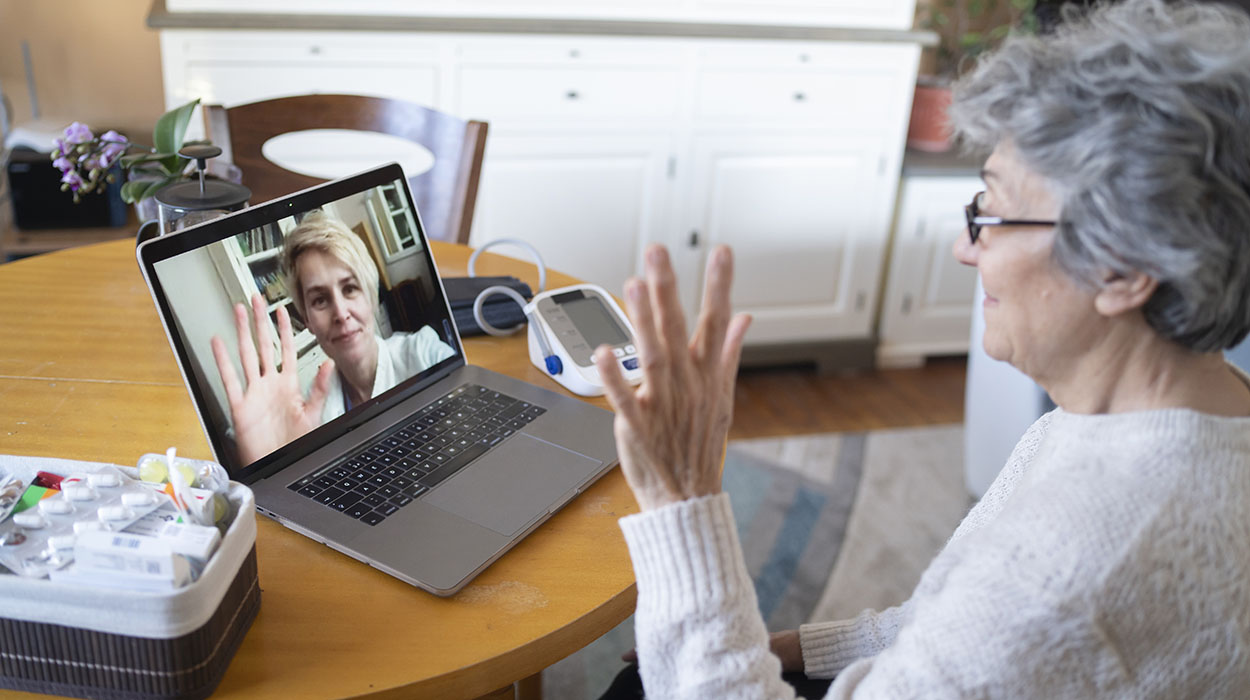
(41, 539)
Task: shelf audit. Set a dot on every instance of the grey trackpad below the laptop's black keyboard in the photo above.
(511, 487)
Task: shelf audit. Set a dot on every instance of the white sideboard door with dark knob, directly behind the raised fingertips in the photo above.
(808, 218)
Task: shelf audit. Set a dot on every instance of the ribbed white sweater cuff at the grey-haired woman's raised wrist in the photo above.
(687, 556)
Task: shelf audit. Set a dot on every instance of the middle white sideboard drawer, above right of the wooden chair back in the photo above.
(501, 93)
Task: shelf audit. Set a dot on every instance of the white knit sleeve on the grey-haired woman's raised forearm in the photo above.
(698, 627)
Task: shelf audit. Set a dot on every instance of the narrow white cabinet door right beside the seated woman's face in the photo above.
(929, 296)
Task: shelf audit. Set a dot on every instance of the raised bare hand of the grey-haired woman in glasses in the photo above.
(671, 433)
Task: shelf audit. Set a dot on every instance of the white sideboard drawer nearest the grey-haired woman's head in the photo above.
(833, 99)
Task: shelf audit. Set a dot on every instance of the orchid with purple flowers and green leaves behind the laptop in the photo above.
(89, 163)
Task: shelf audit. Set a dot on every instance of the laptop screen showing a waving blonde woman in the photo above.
(297, 319)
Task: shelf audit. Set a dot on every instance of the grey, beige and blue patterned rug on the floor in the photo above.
(828, 523)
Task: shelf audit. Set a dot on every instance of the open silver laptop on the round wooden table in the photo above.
(429, 481)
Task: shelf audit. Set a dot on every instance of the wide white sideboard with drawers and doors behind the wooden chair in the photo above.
(787, 149)
